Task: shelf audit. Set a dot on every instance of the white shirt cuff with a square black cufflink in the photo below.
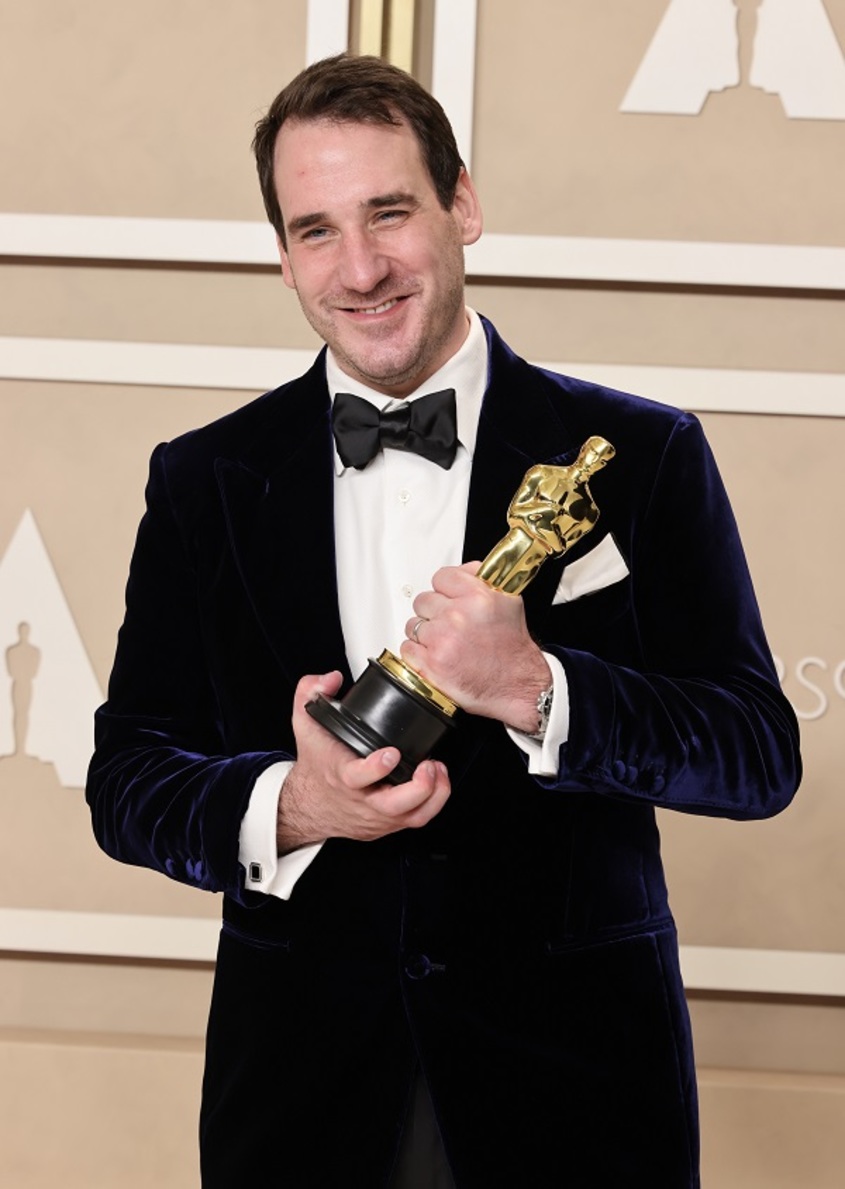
(267, 871)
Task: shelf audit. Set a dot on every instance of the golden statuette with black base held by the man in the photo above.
(390, 704)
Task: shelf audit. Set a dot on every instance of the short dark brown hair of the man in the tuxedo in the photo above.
(360, 91)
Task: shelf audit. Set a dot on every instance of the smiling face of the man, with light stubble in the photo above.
(375, 260)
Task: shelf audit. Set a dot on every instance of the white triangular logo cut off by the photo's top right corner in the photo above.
(787, 48)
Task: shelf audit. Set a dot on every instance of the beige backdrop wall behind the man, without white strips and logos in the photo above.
(148, 111)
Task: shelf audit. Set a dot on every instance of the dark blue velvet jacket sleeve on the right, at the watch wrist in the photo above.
(693, 718)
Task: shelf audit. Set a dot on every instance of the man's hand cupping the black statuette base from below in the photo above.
(333, 794)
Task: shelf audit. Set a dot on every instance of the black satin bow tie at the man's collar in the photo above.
(427, 427)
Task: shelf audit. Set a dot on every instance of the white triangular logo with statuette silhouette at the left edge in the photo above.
(48, 689)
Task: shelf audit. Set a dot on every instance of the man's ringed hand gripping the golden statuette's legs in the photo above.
(472, 643)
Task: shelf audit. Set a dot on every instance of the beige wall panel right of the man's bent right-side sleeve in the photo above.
(780, 884)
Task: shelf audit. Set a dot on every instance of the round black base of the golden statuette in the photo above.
(380, 712)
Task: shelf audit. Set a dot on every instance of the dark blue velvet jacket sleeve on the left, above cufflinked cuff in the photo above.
(162, 789)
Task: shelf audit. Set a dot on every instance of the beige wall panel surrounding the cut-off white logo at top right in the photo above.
(554, 156)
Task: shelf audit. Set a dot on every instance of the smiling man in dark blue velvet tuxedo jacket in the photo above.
(491, 939)
